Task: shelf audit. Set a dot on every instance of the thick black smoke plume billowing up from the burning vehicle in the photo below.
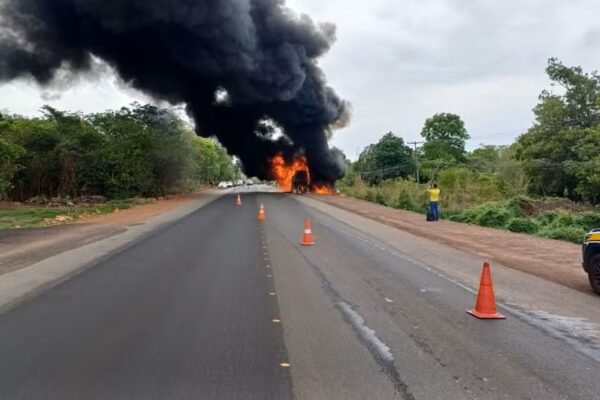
(256, 52)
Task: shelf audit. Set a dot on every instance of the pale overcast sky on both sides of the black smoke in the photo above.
(400, 62)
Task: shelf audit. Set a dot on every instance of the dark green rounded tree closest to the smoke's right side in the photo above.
(389, 158)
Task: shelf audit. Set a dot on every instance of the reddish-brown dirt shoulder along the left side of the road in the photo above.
(22, 247)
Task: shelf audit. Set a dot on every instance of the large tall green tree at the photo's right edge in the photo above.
(555, 151)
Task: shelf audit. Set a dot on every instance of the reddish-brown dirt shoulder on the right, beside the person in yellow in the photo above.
(554, 260)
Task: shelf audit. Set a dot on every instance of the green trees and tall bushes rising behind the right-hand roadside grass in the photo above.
(558, 156)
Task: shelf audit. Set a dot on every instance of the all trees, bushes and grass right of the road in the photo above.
(547, 183)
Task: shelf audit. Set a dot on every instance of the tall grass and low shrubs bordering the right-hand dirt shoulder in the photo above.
(481, 199)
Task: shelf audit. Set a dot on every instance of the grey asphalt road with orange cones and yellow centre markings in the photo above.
(210, 307)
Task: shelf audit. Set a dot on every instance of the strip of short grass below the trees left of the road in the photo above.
(28, 217)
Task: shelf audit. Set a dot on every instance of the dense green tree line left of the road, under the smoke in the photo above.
(137, 151)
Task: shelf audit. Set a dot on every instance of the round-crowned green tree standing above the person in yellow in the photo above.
(445, 136)
